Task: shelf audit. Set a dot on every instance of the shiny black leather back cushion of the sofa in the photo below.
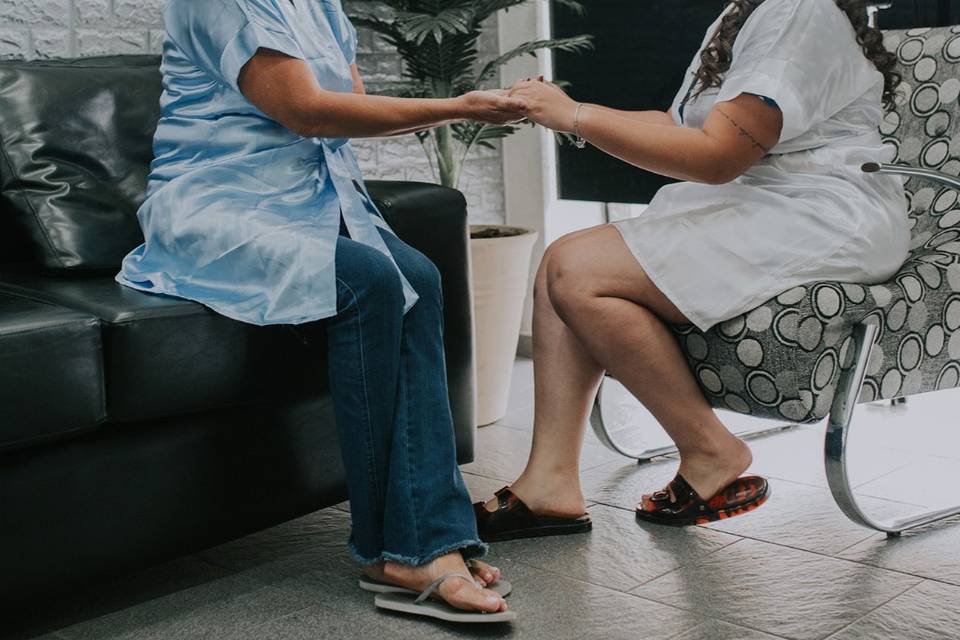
(75, 147)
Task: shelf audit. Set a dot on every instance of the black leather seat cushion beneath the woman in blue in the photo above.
(164, 355)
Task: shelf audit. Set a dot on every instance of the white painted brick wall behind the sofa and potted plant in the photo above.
(66, 28)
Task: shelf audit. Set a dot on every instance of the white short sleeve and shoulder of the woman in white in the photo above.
(803, 55)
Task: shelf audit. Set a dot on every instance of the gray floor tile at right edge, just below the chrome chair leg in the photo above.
(930, 552)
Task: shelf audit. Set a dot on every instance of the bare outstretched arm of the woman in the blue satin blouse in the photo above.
(286, 90)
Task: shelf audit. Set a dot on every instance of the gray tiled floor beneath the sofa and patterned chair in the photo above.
(796, 568)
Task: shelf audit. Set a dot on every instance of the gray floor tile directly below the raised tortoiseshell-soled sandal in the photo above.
(619, 553)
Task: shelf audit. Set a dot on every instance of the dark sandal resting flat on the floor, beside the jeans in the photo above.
(513, 519)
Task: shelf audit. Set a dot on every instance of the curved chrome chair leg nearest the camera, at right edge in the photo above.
(835, 445)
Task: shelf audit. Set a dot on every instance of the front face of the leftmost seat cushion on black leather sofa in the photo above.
(51, 370)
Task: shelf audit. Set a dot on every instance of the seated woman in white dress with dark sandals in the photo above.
(779, 109)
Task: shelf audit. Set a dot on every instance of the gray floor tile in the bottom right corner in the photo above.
(929, 611)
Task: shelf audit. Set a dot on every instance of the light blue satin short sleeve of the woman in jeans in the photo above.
(225, 34)
